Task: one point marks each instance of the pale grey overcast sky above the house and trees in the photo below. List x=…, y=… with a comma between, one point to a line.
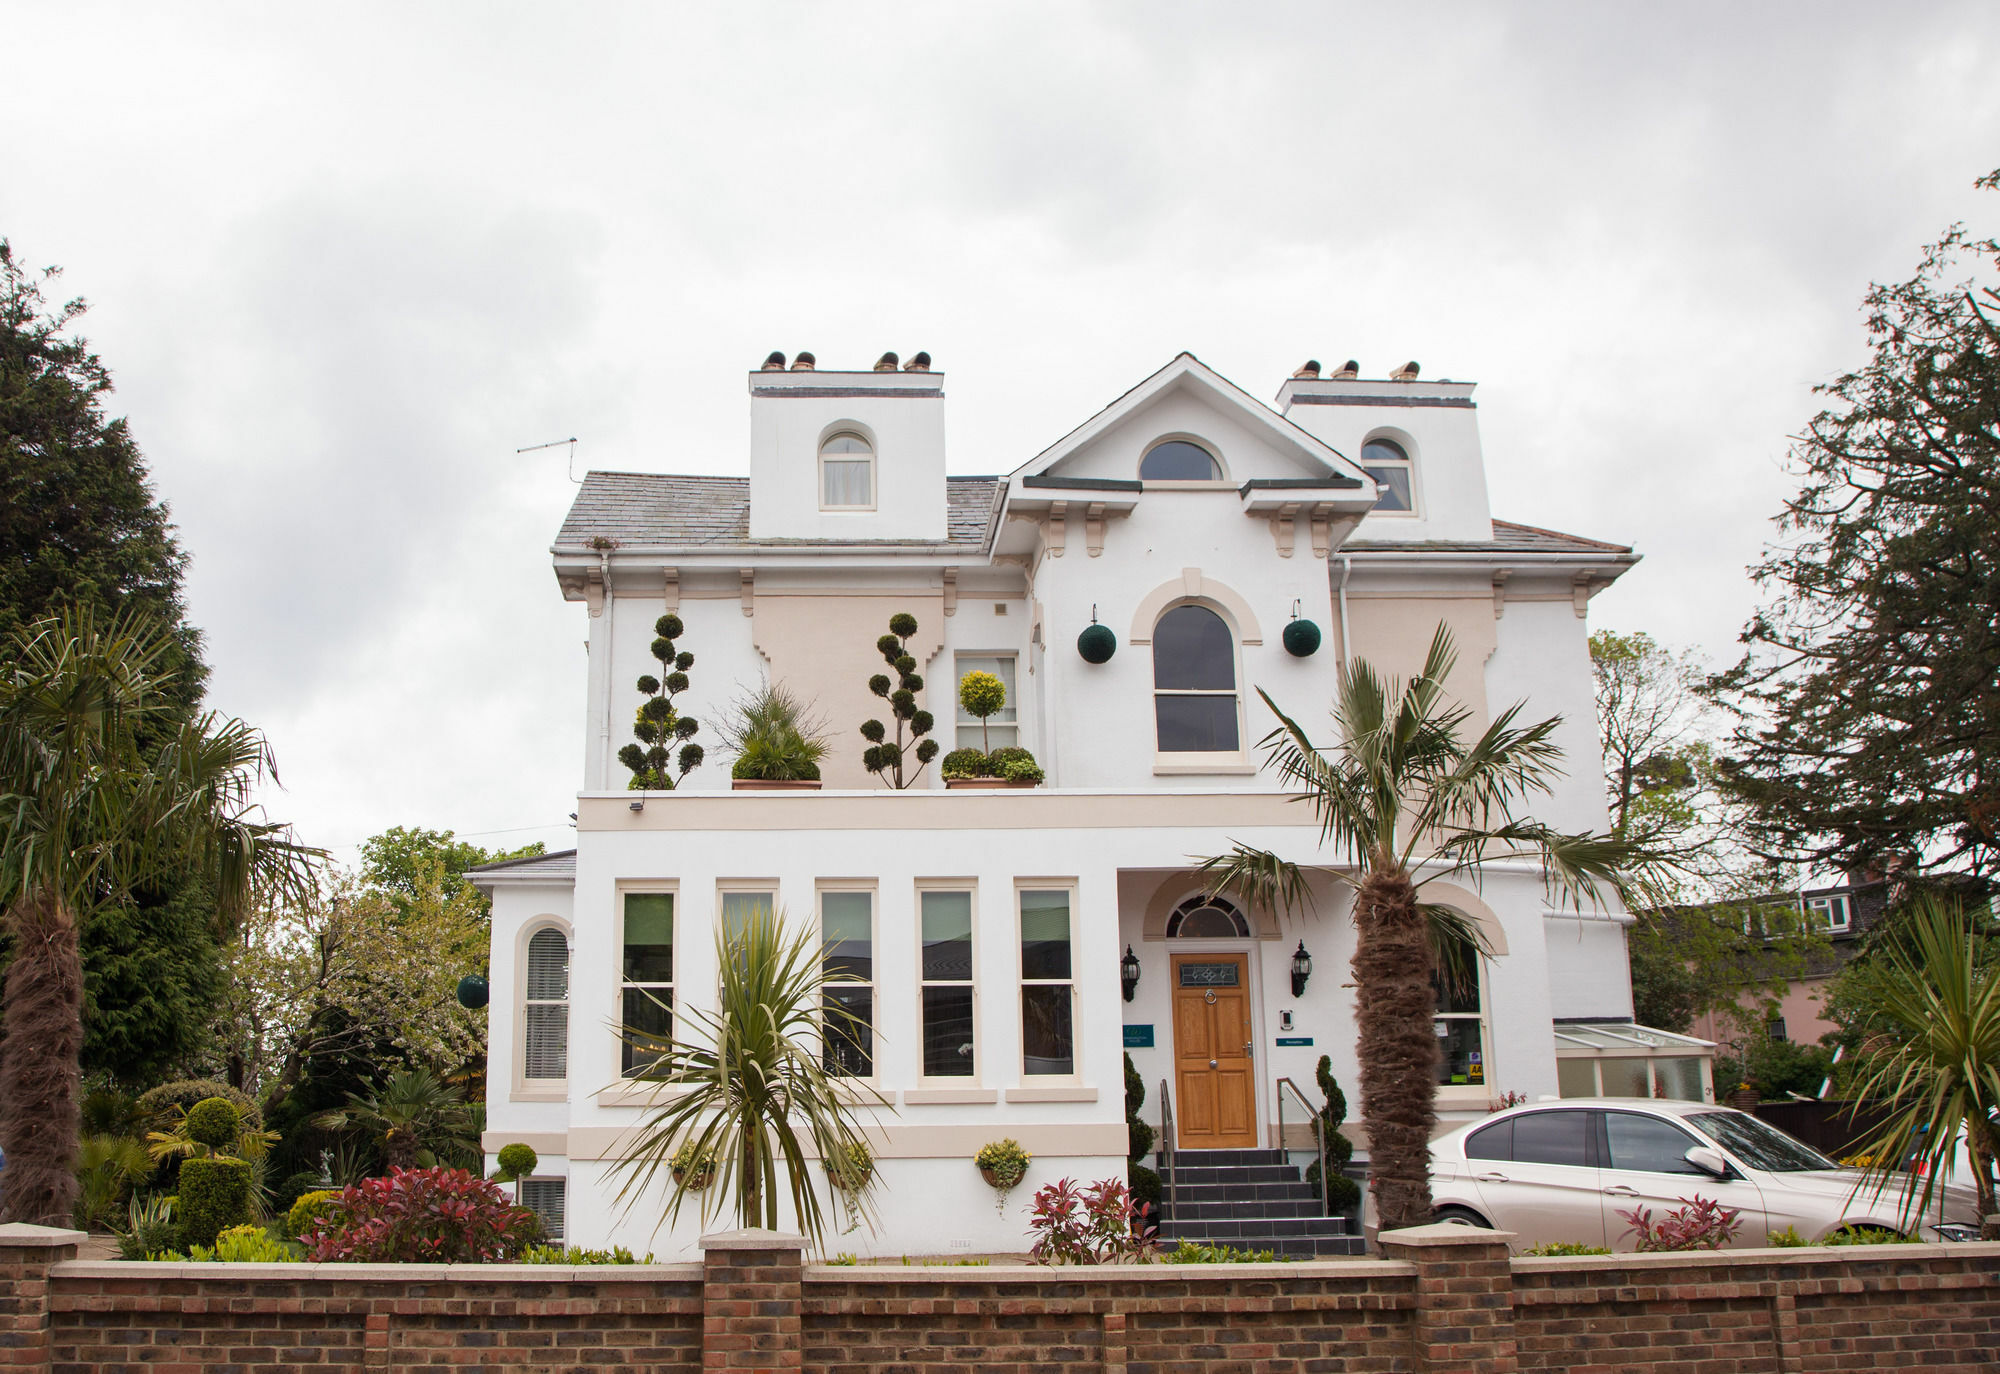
x=345, y=261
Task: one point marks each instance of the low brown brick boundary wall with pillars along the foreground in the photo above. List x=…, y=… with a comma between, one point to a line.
x=1447, y=1299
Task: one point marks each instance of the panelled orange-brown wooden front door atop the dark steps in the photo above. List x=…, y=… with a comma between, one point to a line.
x=1215, y=1087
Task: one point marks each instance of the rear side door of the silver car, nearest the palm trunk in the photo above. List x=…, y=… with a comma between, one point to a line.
x=1537, y=1177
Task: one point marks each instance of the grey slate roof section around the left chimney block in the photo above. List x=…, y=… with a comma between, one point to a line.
x=681, y=511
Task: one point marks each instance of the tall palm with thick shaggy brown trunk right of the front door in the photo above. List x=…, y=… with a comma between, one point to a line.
x=1407, y=801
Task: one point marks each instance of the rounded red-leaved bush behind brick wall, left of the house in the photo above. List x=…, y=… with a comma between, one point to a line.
x=423, y=1217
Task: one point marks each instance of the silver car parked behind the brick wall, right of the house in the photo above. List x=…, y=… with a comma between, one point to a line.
x=1567, y=1171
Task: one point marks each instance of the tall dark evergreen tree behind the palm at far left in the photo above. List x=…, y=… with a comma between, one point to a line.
x=81, y=527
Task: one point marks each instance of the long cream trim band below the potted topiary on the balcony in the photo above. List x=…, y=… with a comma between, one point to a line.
x=1005, y=809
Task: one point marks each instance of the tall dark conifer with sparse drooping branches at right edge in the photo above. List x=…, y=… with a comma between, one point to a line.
x=1871, y=685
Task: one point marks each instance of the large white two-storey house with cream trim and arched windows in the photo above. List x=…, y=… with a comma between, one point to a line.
x=1191, y=521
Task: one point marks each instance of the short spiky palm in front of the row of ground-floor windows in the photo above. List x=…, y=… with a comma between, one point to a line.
x=753, y=1089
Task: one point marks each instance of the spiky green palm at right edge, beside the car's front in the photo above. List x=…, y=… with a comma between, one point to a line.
x=1937, y=1061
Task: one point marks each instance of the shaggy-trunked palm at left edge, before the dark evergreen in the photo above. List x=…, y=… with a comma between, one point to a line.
x=85, y=817
